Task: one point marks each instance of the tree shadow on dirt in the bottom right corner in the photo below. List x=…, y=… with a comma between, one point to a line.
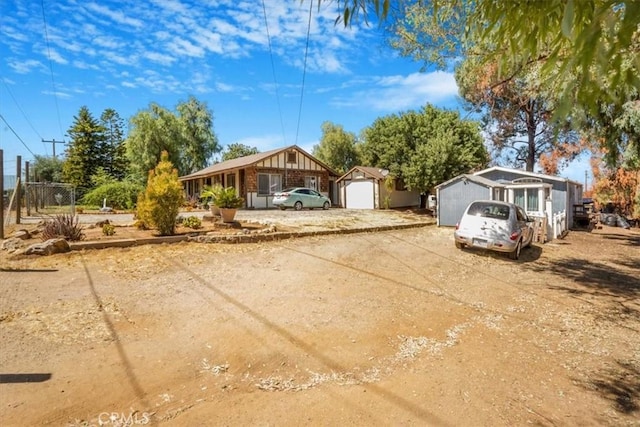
x=619, y=385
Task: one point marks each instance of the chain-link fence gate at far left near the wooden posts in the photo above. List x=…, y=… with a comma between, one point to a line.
x=49, y=198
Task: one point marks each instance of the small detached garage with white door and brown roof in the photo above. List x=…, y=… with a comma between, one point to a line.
x=365, y=187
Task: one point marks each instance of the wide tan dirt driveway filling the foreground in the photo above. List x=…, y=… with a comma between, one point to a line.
x=388, y=328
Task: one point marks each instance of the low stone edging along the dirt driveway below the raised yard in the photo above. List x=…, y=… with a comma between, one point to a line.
x=235, y=238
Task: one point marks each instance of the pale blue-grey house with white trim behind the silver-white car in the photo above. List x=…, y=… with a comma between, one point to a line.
x=543, y=196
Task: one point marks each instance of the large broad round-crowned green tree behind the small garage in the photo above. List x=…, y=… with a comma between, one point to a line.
x=424, y=148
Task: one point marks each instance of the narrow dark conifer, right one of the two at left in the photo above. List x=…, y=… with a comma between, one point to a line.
x=115, y=162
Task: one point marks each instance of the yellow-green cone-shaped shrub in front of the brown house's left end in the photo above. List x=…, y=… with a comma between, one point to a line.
x=160, y=203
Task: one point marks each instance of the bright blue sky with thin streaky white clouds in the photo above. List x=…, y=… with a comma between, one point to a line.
x=126, y=54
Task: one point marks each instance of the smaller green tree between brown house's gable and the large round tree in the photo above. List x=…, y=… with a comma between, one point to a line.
x=337, y=148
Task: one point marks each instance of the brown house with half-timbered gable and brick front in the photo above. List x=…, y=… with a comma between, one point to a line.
x=257, y=177
